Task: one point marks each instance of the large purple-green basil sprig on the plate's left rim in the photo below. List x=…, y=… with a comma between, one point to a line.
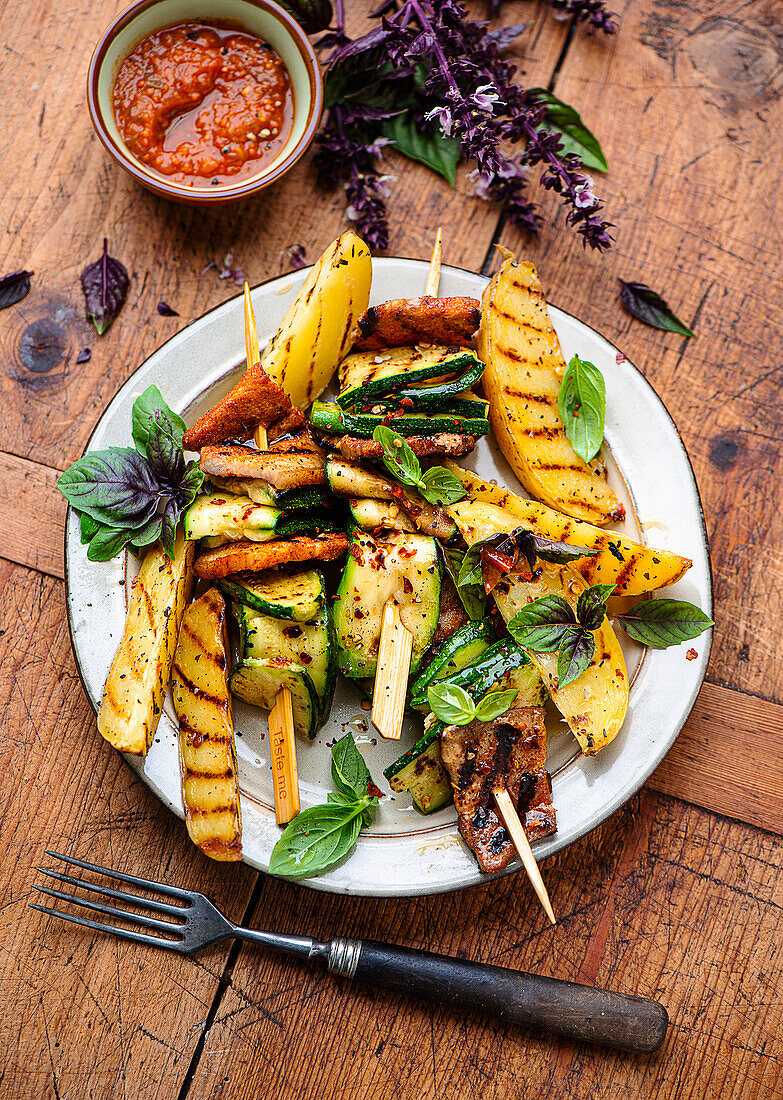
x=134, y=498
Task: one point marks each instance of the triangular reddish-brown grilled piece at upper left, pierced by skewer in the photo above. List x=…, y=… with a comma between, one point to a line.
x=255, y=401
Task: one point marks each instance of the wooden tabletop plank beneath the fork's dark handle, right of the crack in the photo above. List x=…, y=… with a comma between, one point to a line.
x=680, y=898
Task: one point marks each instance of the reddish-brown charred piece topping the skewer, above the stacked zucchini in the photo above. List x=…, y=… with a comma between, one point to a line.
x=409, y=322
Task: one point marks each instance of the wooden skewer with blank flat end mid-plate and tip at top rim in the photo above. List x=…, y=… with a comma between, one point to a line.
x=396, y=641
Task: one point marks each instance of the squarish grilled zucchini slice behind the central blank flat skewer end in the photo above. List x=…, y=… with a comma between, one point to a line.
x=403, y=567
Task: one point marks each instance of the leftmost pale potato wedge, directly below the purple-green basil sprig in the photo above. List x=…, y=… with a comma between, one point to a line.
x=139, y=676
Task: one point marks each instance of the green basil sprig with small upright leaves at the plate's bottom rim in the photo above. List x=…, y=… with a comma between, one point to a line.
x=322, y=837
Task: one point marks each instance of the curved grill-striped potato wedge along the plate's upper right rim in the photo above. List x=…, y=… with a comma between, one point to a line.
x=522, y=381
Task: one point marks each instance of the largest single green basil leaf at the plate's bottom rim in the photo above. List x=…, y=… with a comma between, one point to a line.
x=317, y=839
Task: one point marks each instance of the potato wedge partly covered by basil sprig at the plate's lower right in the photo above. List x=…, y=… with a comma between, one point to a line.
x=595, y=703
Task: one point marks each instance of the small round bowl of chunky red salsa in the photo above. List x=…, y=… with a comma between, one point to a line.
x=205, y=103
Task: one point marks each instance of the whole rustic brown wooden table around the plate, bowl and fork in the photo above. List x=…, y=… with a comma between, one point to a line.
x=679, y=896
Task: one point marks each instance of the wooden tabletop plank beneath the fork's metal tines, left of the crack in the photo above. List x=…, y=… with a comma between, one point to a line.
x=85, y=1015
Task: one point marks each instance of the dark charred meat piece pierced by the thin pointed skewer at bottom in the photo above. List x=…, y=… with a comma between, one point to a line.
x=512, y=753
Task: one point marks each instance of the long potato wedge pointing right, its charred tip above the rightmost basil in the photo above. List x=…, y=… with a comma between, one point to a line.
x=633, y=568
